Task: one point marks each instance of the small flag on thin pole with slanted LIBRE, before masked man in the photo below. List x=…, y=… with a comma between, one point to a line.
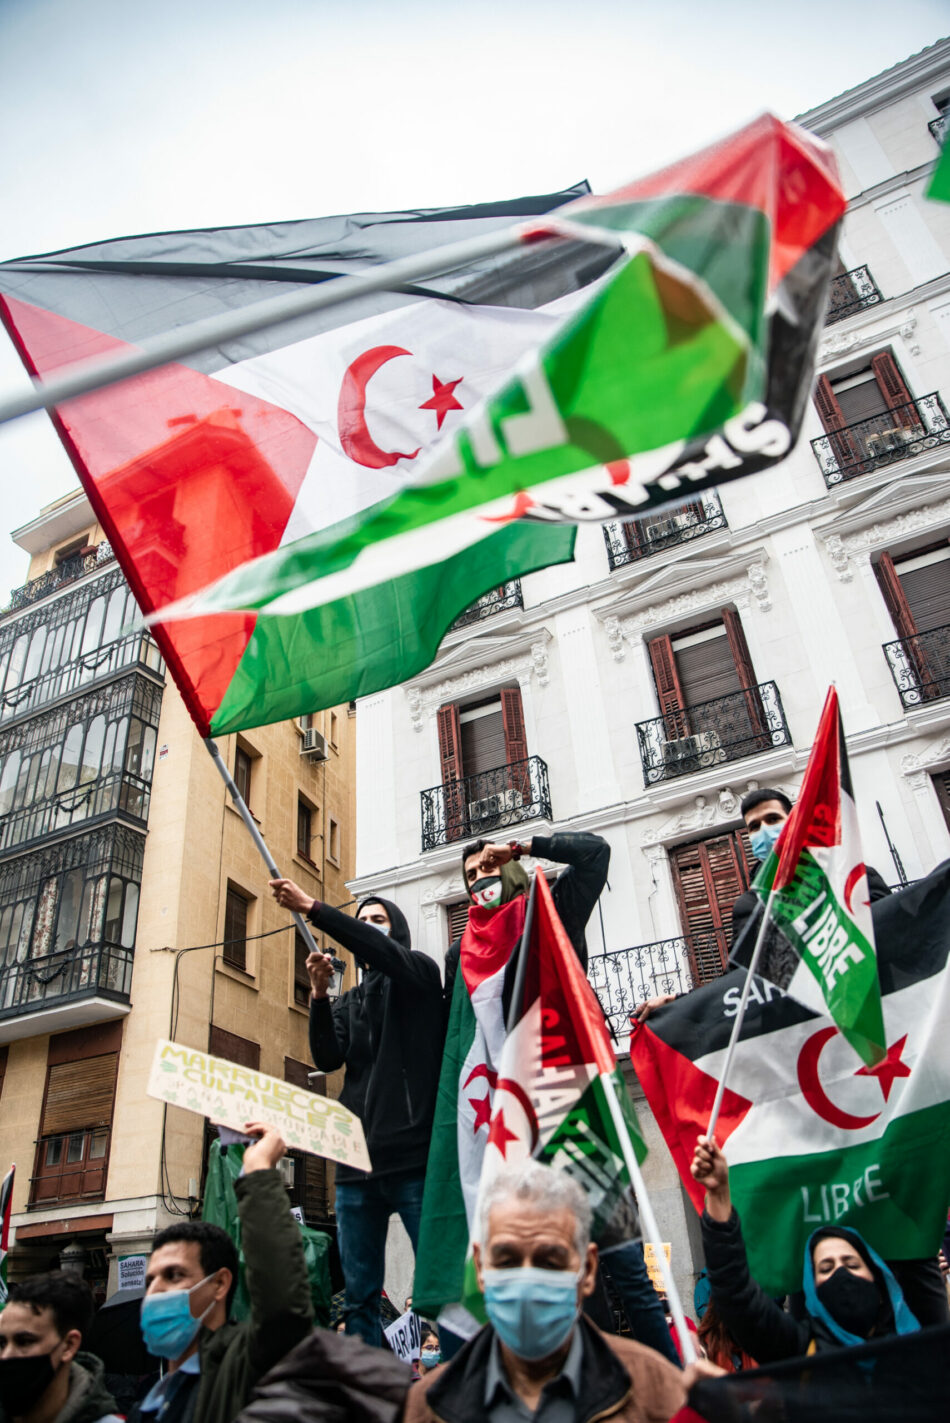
x=821, y=940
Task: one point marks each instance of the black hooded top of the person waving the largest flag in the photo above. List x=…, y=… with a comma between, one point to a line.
x=389, y=1034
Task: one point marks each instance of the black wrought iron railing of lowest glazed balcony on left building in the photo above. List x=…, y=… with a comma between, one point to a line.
x=95, y=971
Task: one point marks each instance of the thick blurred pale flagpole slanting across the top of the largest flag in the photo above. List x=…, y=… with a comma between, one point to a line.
x=214, y=331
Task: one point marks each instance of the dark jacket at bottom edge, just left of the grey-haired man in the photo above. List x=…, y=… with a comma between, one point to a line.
x=331, y=1378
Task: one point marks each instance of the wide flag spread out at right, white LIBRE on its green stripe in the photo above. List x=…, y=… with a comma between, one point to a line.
x=814, y=1136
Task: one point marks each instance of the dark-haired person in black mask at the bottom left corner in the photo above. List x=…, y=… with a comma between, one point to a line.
x=43, y=1375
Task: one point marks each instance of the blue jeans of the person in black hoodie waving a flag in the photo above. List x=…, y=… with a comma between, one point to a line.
x=363, y=1222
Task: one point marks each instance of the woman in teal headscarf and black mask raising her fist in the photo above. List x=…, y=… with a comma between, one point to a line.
x=851, y=1296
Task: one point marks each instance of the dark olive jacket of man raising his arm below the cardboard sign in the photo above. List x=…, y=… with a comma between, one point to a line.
x=235, y=1357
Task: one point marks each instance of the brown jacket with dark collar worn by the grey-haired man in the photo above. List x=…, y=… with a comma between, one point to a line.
x=619, y=1380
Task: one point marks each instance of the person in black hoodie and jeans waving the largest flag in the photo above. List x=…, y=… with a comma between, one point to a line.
x=389, y=1034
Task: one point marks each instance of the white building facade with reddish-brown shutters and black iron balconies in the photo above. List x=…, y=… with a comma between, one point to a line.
x=641, y=691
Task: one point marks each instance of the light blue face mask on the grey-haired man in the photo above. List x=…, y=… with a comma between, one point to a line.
x=533, y=1310
